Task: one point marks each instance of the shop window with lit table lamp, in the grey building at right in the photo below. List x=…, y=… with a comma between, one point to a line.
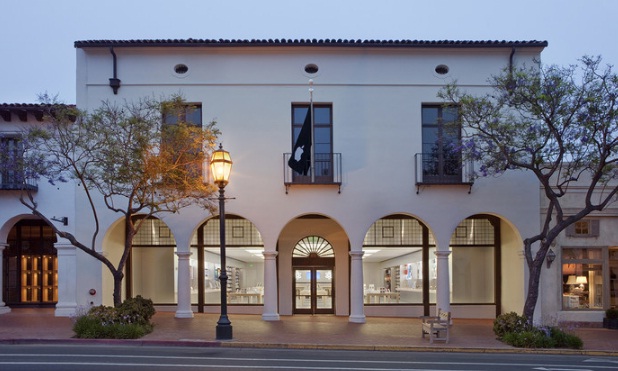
x=582, y=278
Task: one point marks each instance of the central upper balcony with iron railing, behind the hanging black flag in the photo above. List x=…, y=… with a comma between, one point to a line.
x=327, y=169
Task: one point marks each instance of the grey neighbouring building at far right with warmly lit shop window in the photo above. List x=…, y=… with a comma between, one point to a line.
x=582, y=282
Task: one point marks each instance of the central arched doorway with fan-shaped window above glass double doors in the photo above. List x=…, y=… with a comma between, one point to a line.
x=313, y=264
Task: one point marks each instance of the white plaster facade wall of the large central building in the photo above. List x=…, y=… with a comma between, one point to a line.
x=377, y=95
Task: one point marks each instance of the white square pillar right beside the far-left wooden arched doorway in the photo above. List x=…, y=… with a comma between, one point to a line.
x=67, y=280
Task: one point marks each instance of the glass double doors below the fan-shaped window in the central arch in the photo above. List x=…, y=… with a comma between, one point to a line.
x=313, y=291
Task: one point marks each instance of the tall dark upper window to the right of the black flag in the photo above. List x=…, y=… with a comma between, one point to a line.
x=441, y=161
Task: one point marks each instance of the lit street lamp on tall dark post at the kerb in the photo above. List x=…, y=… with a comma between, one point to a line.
x=220, y=168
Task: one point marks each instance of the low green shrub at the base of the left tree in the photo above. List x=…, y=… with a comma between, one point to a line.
x=131, y=320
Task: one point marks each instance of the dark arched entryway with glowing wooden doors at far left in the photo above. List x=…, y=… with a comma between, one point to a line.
x=30, y=265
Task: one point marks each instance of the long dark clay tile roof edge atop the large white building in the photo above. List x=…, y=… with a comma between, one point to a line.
x=310, y=42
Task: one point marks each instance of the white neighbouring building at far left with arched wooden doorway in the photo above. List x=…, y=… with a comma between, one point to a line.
x=33, y=257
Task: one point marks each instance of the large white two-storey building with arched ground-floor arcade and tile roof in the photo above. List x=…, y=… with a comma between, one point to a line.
x=385, y=222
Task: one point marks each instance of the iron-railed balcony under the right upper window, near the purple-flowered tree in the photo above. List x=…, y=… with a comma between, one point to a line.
x=431, y=169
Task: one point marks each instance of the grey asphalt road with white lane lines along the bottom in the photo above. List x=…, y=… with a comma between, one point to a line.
x=106, y=357
